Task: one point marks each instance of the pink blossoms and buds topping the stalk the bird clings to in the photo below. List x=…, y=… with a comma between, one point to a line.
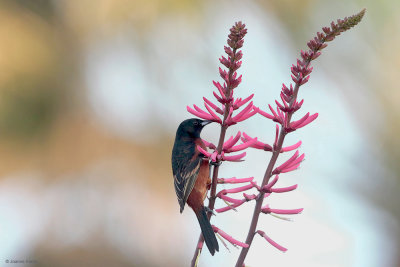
x=227, y=103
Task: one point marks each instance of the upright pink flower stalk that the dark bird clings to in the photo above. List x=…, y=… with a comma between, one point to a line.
x=229, y=104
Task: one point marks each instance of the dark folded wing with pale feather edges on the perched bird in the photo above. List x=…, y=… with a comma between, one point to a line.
x=185, y=177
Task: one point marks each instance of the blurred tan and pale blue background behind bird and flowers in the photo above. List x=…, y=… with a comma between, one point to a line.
x=91, y=94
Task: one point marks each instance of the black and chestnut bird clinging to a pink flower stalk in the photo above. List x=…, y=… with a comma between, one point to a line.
x=191, y=175
